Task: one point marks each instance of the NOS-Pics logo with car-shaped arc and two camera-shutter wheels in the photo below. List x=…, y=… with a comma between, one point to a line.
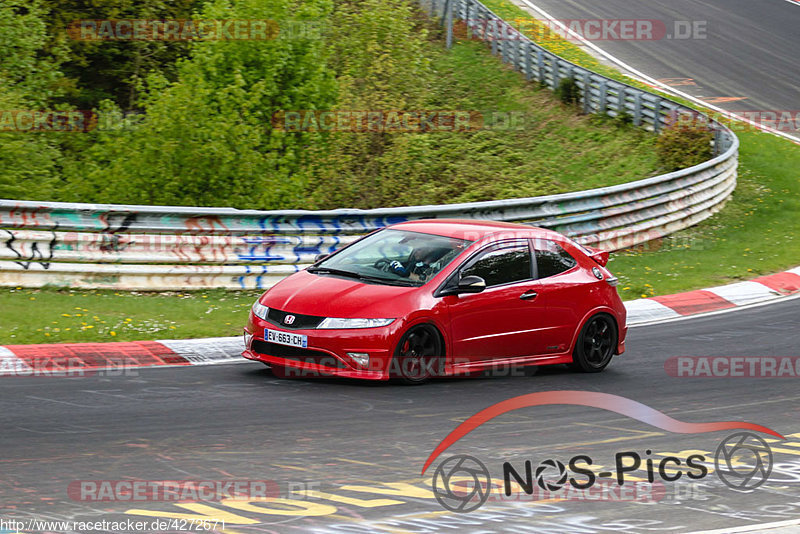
x=461, y=483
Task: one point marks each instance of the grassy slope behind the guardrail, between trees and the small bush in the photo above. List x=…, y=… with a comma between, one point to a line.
x=552, y=148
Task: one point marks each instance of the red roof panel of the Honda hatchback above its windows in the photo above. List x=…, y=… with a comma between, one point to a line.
x=473, y=229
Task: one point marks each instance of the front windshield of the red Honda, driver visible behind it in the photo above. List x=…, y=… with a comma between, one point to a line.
x=396, y=257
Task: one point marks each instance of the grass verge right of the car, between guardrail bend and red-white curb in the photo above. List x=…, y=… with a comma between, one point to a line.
x=757, y=233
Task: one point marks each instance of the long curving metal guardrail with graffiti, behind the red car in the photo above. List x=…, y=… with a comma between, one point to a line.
x=163, y=247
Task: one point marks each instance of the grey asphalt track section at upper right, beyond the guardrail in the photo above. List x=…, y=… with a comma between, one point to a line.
x=747, y=59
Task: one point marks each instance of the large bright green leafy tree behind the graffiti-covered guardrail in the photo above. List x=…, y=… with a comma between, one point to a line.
x=206, y=138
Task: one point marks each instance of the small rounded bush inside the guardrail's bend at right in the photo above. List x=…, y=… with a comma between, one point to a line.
x=684, y=143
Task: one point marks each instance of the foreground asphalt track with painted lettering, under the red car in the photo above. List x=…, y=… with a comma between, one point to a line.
x=358, y=448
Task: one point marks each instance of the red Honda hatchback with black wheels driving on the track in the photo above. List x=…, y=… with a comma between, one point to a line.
x=441, y=297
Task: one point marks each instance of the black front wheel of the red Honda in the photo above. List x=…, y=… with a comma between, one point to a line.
x=418, y=355
